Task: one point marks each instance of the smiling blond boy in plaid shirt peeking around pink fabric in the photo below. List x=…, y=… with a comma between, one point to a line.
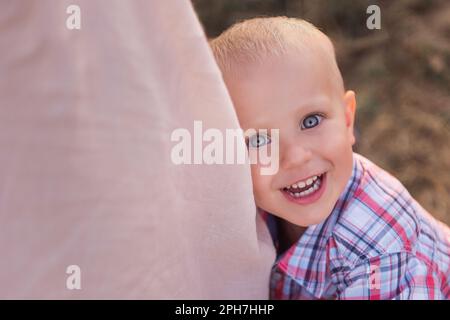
x=345, y=229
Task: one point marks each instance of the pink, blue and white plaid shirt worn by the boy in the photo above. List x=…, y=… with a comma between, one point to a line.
x=378, y=243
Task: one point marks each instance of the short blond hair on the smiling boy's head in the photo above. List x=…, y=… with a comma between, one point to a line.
x=255, y=39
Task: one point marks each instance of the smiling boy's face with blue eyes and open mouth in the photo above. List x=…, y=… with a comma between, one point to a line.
x=300, y=97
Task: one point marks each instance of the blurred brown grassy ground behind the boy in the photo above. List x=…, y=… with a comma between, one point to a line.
x=401, y=76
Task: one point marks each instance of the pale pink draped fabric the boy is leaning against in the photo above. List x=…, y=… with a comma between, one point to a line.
x=85, y=171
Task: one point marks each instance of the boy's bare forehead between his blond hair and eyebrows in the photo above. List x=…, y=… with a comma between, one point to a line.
x=280, y=87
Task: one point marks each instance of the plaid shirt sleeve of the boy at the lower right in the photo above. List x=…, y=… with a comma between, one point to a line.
x=399, y=276
